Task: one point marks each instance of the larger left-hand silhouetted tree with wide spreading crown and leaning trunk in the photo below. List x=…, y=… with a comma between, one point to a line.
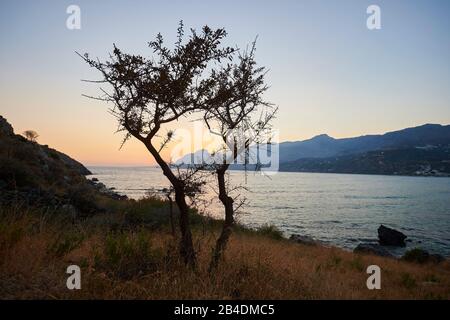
x=148, y=93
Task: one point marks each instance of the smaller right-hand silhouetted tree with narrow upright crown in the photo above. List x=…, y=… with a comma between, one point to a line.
x=238, y=113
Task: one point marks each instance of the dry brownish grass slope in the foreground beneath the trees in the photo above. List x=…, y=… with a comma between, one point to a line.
x=142, y=264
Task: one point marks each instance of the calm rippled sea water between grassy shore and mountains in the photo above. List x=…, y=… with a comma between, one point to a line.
x=339, y=209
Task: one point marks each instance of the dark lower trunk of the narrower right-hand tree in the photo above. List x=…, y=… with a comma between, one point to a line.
x=222, y=241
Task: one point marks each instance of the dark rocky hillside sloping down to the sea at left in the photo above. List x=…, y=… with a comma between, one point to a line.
x=36, y=174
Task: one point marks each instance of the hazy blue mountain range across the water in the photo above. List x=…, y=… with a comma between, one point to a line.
x=422, y=150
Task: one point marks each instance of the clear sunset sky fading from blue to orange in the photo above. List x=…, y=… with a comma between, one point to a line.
x=328, y=72
